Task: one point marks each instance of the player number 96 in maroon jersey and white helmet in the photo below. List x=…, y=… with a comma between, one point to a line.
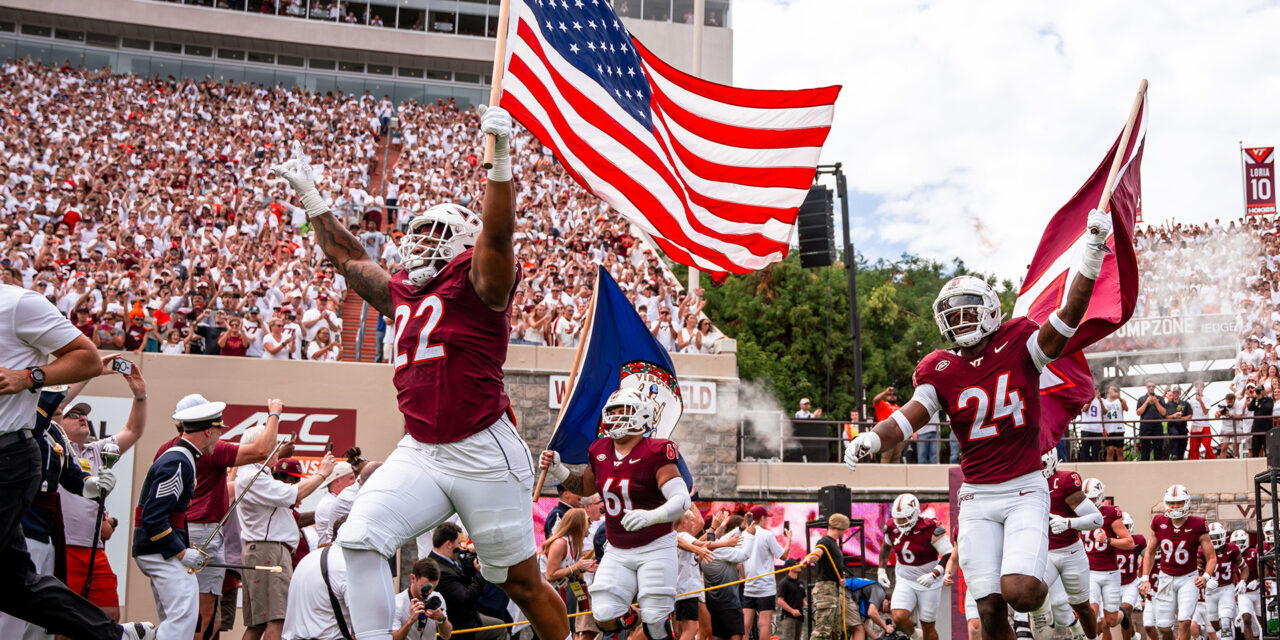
x=1178, y=534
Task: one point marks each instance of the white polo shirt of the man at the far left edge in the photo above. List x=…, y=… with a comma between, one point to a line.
x=31, y=330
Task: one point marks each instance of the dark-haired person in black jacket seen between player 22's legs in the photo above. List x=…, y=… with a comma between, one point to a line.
x=461, y=583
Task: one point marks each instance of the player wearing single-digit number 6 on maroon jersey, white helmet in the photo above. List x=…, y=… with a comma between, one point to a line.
x=921, y=550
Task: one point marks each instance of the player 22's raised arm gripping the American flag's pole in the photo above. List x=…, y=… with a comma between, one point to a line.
x=493, y=263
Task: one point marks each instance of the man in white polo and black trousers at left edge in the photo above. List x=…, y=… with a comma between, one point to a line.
x=31, y=331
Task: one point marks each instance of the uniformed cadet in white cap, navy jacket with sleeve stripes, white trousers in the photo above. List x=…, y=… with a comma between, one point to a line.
x=161, y=546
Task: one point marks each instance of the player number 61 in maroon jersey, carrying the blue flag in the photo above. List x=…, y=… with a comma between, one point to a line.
x=643, y=496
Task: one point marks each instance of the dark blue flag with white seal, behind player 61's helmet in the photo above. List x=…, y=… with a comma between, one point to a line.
x=616, y=350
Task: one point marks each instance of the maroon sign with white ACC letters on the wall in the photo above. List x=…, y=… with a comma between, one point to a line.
x=316, y=428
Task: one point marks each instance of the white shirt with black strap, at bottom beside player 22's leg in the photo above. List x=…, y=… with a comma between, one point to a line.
x=310, y=615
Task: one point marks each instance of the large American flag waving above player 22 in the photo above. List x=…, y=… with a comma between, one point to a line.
x=714, y=175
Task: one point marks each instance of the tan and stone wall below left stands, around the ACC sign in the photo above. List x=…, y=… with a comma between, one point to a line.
x=368, y=391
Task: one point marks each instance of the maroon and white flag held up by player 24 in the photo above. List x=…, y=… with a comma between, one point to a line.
x=1067, y=385
